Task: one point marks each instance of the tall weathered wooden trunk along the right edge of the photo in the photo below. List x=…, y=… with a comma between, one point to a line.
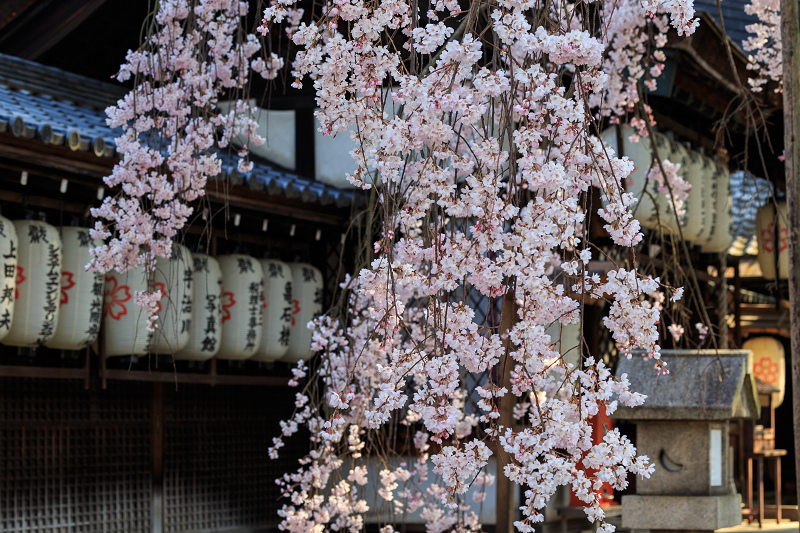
x=790, y=35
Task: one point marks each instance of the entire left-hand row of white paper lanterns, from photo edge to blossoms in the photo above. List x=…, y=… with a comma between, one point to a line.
x=231, y=307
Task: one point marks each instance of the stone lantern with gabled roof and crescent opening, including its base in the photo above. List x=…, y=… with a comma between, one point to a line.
x=683, y=428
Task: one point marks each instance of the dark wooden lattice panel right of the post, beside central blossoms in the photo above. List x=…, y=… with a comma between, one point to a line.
x=217, y=475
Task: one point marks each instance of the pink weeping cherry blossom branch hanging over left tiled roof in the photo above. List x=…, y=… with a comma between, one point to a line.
x=171, y=129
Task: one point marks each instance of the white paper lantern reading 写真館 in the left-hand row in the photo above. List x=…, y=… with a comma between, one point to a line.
x=206, y=330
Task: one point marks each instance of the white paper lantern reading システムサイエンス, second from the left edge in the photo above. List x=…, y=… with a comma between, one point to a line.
x=38, y=281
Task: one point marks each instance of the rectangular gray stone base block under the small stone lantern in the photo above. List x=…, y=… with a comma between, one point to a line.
x=681, y=512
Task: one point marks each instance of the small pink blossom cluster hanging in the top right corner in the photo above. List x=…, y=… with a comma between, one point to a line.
x=765, y=43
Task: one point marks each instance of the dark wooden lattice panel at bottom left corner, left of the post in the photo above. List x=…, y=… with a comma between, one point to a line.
x=73, y=460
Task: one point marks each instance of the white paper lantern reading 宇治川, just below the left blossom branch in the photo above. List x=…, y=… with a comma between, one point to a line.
x=173, y=277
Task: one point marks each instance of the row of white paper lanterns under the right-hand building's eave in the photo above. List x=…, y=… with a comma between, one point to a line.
x=708, y=220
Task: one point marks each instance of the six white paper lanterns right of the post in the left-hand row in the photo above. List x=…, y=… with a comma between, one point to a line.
x=232, y=307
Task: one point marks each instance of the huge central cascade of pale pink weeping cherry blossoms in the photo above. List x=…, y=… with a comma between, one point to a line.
x=475, y=128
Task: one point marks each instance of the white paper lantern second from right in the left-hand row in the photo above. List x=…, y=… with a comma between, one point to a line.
x=278, y=311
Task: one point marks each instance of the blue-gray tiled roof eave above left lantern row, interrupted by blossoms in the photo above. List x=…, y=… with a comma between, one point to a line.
x=61, y=108
